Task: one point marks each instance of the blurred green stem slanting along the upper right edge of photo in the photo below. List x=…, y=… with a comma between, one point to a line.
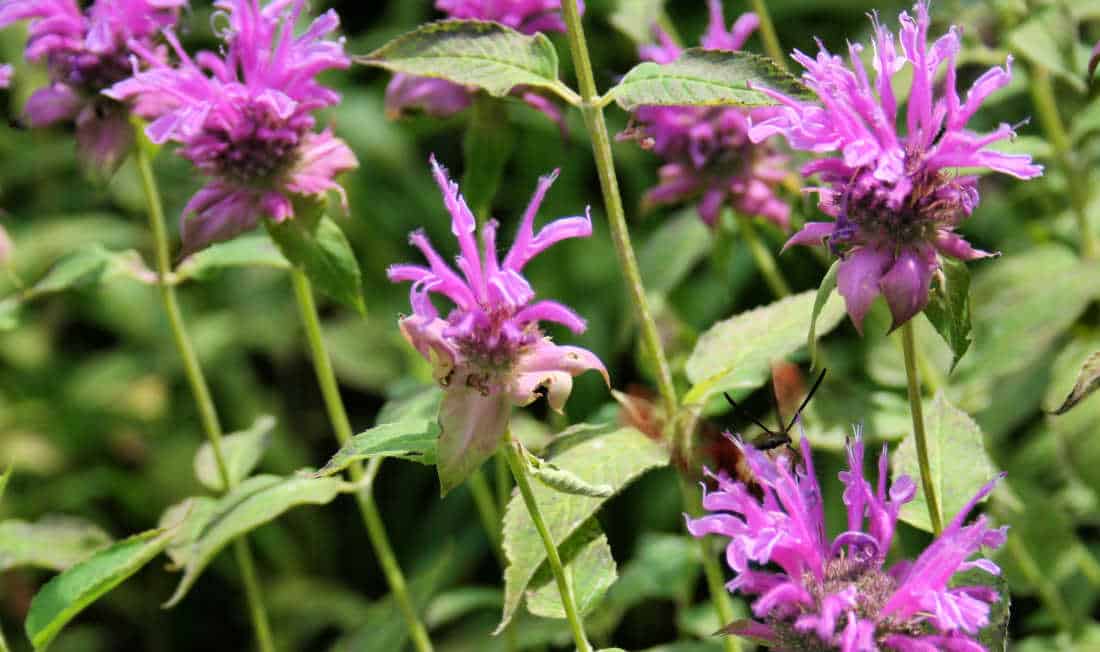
x=1047, y=107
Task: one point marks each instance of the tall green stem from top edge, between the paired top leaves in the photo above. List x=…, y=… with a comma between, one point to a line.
x=613, y=202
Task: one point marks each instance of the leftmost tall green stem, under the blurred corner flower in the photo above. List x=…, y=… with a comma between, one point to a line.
x=208, y=415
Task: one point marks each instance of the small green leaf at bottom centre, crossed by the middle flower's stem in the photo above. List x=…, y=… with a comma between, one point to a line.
x=588, y=560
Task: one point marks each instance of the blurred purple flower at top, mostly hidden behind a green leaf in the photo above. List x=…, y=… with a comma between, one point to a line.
x=441, y=98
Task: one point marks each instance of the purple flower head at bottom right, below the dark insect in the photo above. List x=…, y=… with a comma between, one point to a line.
x=816, y=594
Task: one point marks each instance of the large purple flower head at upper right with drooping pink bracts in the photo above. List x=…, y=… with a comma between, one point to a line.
x=896, y=197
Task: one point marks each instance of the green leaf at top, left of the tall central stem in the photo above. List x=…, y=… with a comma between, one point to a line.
x=475, y=53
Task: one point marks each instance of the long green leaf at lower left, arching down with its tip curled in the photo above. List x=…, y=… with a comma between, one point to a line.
x=252, y=504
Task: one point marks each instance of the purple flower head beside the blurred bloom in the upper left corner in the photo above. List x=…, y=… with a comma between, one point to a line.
x=246, y=117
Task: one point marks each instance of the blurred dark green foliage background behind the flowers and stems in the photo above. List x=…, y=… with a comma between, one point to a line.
x=97, y=419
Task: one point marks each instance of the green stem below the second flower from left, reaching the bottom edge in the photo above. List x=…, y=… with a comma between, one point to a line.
x=342, y=427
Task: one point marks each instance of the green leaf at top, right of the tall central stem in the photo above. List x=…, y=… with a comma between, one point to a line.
x=706, y=79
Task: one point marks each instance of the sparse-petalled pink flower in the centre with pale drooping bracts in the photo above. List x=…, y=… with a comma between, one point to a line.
x=490, y=352
